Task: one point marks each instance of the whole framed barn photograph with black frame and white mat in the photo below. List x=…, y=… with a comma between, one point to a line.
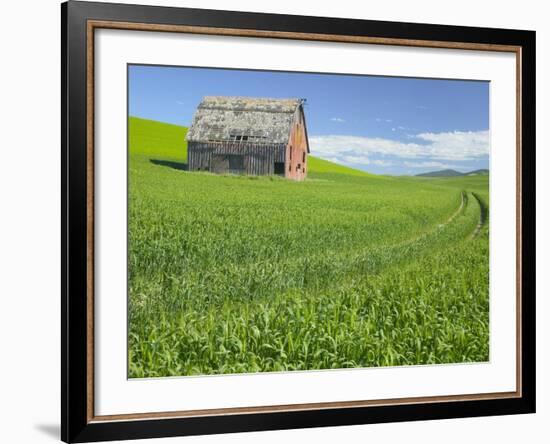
x=275, y=221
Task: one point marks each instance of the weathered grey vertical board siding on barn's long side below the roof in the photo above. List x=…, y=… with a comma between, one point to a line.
x=259, y=158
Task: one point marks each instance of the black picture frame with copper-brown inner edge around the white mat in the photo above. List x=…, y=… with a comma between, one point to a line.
x=79, y=180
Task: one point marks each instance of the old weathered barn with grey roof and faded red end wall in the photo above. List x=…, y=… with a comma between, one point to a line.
x=249, y=135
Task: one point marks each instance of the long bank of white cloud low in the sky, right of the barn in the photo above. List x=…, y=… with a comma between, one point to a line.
x=457, y=146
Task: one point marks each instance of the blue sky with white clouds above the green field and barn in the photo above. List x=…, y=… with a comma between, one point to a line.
x=384, y=125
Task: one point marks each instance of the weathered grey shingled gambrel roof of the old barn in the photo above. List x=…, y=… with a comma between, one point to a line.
x=262, y=120
